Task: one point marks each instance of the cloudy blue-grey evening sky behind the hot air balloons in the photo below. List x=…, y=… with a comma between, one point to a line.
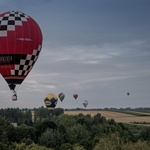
x=99, y=49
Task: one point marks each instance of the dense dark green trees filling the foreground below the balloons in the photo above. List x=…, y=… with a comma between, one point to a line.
x=59, y=131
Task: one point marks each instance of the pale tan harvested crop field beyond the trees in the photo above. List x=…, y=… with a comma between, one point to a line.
x=123, y=116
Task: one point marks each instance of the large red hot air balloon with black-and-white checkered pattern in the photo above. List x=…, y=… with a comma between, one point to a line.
x=20, y=45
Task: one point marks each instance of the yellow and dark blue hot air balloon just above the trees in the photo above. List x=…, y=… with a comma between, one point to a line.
x=51, y=101
